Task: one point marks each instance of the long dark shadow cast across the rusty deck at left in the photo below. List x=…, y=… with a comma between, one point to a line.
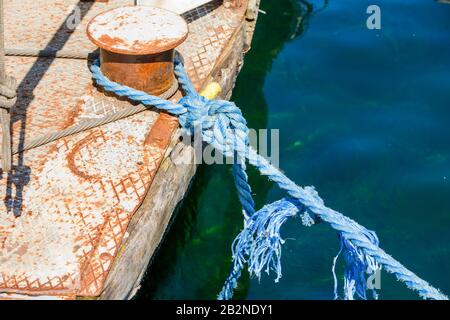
x=19, y=176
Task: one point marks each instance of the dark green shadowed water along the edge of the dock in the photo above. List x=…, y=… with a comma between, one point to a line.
x=195, y=257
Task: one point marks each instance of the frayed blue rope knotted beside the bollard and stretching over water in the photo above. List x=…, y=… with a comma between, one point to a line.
x=259, y=244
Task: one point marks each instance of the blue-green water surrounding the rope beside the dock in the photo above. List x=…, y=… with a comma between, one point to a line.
x=364, y=116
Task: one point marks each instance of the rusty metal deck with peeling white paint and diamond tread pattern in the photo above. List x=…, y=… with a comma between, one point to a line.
x=67, y=204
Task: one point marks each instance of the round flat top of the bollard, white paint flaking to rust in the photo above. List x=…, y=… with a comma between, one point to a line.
x=137, y=30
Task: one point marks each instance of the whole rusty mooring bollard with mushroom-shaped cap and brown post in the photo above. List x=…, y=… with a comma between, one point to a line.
x=137, y=46
